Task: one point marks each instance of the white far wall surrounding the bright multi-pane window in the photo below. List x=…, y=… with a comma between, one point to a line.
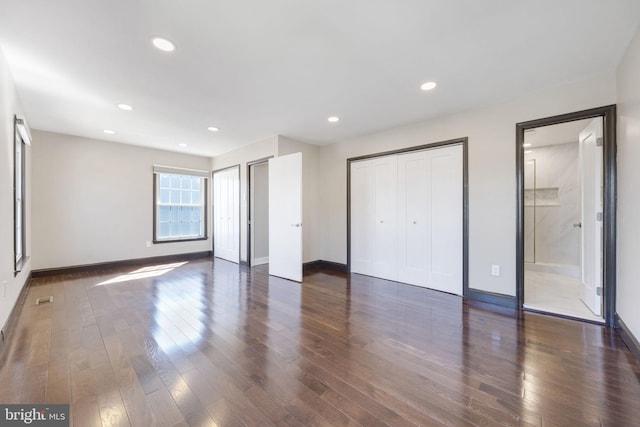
x=93, y=201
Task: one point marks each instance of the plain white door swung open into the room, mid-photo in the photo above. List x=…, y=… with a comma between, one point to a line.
x=285, y=216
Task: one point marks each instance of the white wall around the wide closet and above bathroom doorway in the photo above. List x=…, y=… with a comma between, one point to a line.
x=492, y=182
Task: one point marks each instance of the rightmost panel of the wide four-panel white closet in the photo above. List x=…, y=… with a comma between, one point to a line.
x=445, y=219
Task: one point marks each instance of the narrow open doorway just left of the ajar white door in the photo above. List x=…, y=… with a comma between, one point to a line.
x=258, y=223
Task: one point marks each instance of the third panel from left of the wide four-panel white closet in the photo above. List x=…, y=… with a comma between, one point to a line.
x=412, y=218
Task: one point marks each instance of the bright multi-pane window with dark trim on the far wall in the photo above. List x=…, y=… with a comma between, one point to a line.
x=180, y=204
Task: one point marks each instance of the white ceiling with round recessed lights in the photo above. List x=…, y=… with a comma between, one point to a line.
x=257, y=68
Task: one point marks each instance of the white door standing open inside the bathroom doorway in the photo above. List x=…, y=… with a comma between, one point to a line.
x=591, y=170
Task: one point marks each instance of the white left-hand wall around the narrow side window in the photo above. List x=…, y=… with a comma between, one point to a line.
x=10, y=286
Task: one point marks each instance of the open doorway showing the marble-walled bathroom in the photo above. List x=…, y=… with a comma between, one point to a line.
x=559, y=242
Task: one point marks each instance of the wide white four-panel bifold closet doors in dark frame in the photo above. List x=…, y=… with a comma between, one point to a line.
x=406, y=217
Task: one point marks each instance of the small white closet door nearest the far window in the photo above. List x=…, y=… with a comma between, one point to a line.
x=226, y=214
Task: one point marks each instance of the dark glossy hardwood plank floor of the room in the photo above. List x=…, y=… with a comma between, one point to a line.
x=210, y=343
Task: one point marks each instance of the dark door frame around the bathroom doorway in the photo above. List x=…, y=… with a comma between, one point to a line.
x=608, y=114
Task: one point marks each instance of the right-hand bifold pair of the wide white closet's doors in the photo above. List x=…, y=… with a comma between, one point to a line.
x=430, y=218
